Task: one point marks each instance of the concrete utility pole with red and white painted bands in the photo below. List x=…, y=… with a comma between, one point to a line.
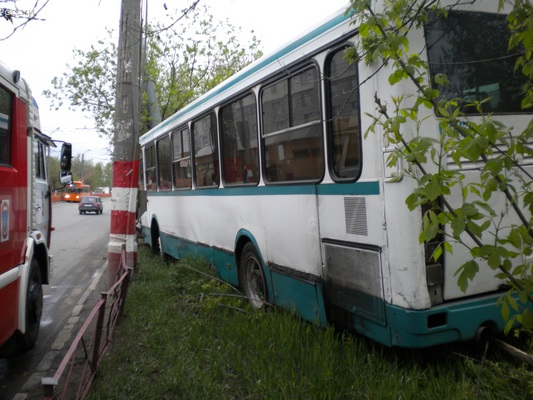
x=125, y=160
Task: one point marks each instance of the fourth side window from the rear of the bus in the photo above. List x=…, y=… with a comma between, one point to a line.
x=205, y=152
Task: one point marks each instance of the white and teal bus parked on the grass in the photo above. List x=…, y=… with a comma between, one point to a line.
x=270, y=177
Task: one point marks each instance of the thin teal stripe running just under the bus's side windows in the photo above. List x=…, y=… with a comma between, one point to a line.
x=353, y=189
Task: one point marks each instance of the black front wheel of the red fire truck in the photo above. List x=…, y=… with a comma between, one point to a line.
x=34, y=306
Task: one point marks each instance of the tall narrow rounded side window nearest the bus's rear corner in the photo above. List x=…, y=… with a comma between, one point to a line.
x=343, y=113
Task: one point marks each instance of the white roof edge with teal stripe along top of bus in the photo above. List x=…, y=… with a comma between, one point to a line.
x=257, y=71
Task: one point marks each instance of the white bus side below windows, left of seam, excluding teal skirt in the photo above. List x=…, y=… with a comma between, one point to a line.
x=214, y=217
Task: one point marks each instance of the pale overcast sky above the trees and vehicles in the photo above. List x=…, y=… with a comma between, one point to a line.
x=43, y=48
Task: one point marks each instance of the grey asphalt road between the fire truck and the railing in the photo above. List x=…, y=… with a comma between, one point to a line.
x=79, y=247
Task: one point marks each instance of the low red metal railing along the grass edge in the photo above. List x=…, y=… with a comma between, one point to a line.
x=77, y=370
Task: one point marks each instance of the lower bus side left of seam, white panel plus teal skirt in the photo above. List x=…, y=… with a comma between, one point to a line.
x=214, y=219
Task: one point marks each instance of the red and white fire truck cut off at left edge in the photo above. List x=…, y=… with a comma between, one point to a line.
x=25, y=212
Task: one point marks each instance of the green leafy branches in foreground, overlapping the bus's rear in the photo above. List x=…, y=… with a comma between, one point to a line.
x=384, y=43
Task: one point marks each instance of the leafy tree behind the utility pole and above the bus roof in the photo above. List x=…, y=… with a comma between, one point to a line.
x=182, y=63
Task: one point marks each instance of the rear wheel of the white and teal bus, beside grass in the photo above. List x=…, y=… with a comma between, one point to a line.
x=252, y=278
